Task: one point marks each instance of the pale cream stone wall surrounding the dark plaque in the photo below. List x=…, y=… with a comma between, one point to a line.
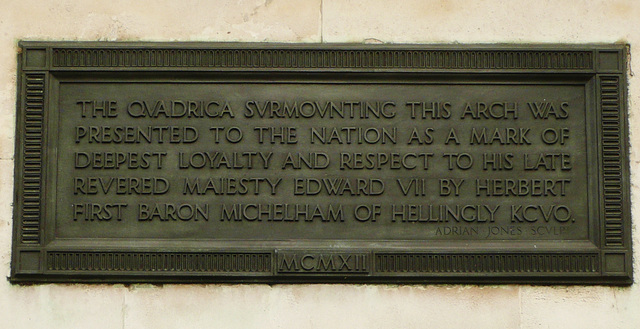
x=313, y=306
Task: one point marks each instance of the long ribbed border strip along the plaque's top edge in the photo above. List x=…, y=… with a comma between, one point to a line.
x=322, y=58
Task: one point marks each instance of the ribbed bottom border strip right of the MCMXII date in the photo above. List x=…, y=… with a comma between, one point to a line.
x=486, y=263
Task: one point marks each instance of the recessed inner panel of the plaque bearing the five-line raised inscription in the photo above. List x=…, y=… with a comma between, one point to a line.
x=326, y=160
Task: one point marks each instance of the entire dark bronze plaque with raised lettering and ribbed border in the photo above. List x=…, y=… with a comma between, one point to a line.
x=204, y=162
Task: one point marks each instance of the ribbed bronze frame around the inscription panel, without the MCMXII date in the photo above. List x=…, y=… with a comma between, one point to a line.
x=609, y=261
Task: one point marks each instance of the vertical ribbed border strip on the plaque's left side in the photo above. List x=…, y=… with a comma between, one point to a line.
x=32, y=154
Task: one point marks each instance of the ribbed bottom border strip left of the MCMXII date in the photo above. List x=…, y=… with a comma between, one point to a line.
x=158, y=262
